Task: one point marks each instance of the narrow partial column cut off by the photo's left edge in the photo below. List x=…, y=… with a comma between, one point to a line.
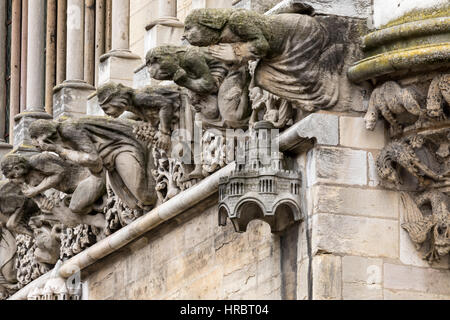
x=4, y=147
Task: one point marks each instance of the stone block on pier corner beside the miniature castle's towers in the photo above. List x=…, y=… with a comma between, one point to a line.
x=337, y=166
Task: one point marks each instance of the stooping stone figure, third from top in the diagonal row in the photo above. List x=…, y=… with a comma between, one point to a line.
x=157, y=105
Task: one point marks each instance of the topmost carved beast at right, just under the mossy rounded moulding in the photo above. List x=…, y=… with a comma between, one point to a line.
x=390, y=99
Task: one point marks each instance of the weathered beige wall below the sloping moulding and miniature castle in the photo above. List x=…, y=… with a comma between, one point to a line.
x=192, y=258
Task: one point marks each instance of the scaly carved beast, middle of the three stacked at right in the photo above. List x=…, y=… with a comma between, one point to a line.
x=401, y=154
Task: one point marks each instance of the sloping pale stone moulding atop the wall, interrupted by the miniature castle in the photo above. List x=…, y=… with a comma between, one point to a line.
x=179, y=204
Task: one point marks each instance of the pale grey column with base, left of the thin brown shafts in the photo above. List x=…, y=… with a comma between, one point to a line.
x=35, y=74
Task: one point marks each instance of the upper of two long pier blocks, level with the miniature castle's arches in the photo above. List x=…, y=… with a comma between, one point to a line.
x=358, y=202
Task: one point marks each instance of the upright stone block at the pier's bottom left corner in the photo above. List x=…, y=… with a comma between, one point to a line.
x=327, y=280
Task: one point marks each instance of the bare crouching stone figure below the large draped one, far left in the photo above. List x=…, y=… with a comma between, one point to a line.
x=46, y=171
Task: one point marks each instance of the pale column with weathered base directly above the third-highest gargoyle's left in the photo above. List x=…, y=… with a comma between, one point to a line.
x=69, y=98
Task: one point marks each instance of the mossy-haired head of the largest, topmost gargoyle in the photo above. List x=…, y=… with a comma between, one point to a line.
x=203, y=27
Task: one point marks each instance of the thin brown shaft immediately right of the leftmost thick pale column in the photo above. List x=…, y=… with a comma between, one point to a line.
x=50, y=63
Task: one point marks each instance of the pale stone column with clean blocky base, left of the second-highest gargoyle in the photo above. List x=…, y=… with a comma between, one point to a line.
x=118, y=64
